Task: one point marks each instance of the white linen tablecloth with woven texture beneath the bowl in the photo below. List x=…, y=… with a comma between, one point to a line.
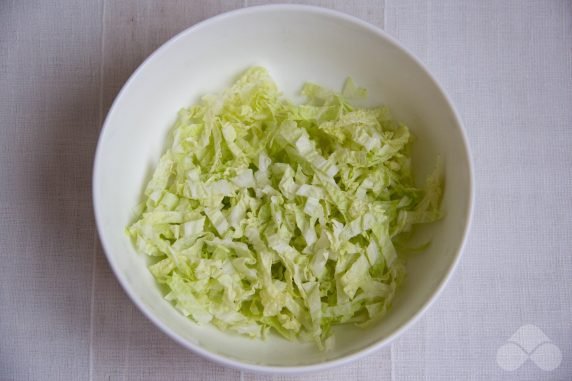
x=506, y=64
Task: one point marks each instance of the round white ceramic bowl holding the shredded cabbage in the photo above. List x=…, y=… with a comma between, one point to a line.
x=296, y=44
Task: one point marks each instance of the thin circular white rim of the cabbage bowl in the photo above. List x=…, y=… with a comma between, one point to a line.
x=275, y=369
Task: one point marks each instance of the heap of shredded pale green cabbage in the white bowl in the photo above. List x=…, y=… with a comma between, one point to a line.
x=266, y=215
